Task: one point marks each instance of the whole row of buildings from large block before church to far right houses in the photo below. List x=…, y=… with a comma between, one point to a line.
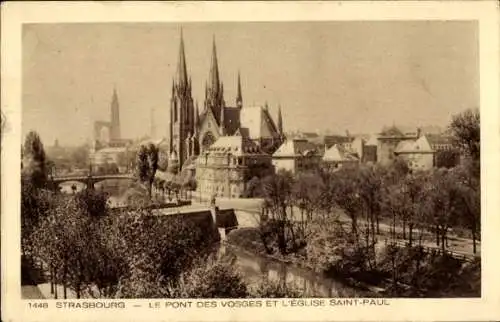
x=226, y=167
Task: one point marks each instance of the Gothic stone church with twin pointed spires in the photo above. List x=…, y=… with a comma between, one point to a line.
x=192, y=132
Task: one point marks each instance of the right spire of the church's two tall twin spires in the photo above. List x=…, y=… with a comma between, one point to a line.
x=214, y=91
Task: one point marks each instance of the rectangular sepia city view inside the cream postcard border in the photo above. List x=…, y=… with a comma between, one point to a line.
x=237, y=160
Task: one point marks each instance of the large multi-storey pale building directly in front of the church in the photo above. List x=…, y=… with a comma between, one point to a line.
x=224, y=167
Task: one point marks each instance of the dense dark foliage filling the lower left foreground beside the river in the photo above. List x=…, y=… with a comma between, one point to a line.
x=132, y=254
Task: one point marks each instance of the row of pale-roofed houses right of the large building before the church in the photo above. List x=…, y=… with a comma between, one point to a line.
x=420, y=150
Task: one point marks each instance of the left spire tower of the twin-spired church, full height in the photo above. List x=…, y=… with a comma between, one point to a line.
x=181, y=111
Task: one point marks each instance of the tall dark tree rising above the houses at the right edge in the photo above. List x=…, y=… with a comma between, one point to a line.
x=465, y=129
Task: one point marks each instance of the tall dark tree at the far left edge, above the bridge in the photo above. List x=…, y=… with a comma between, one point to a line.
x=34, y=160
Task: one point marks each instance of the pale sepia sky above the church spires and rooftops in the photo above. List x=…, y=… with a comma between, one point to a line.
x=355, y=76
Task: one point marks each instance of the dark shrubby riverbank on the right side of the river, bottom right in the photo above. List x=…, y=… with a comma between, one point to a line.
x=397, y=271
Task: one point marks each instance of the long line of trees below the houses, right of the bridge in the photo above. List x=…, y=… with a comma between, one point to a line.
x=416, y=202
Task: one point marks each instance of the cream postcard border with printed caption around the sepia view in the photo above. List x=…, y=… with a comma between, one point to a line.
x=485, y=12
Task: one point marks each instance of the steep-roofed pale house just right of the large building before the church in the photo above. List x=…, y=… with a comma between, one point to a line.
x=296, y=155
